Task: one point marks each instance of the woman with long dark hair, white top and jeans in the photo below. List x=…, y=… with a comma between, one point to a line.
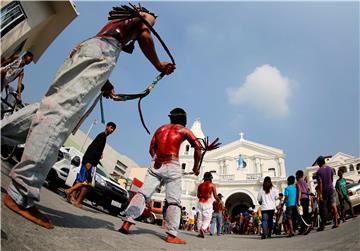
x=267, y=197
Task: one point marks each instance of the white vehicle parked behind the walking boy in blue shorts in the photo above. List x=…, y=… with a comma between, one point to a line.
x=106, y=193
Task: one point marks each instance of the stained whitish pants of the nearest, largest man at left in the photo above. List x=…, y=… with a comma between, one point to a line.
x=46, y=126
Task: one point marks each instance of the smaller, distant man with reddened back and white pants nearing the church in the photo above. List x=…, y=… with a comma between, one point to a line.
x=205, y=206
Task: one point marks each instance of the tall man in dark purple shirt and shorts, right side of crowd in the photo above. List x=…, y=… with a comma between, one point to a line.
x=326, y=194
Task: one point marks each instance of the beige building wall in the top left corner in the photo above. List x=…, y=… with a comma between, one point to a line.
x=45, y=20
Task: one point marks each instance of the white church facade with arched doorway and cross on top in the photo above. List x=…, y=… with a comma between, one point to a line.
x=238, y=168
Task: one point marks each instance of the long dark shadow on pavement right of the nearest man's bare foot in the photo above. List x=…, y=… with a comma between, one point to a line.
x=63, y=219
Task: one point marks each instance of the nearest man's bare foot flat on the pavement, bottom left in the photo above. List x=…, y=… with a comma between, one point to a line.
x=31, y=214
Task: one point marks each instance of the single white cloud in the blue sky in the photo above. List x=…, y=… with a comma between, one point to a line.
x=265, y=90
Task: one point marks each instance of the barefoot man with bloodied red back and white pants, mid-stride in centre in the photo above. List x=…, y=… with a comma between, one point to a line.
x=165, y=167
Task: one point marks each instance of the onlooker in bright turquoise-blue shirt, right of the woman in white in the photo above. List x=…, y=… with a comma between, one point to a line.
x=290, y=200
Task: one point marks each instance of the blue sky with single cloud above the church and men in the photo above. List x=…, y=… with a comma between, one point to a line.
x=284, y=73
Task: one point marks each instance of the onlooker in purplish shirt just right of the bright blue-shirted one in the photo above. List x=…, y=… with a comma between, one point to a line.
x=303, y=199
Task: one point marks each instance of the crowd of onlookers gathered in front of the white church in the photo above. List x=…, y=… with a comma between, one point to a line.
x=295, y=210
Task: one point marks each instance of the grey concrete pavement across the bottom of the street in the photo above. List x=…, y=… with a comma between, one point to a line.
x=91, y=229
